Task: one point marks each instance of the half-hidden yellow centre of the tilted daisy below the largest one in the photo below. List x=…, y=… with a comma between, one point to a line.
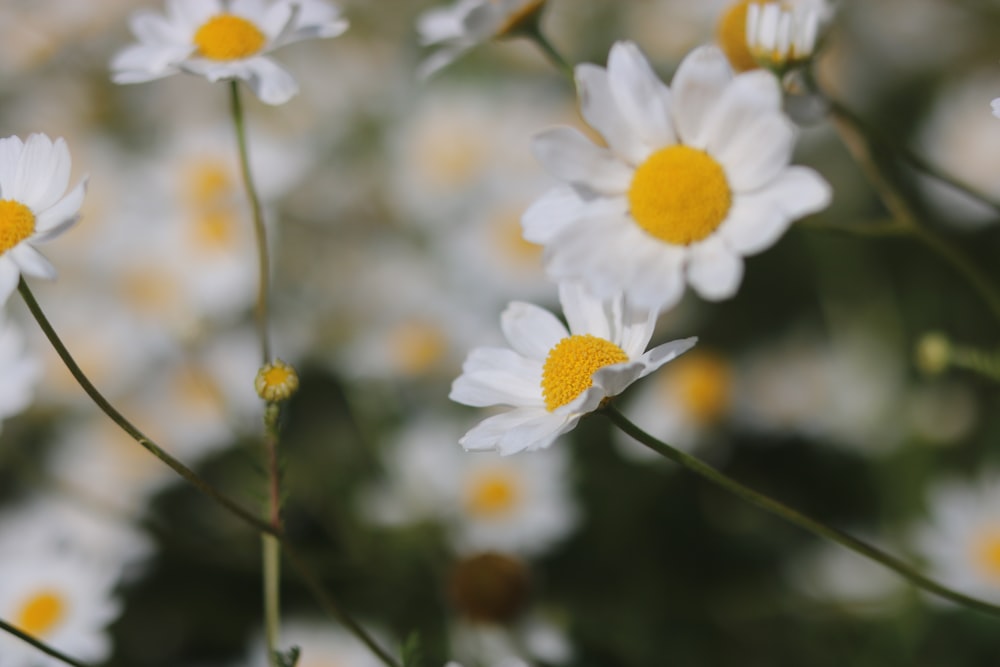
x=571, y=363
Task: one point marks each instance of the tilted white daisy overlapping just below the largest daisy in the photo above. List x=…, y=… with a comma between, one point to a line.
x=552, y=376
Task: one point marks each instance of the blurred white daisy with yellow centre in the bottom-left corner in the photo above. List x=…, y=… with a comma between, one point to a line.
x=62, y=600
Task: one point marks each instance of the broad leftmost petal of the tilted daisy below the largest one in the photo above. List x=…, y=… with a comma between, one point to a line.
x=494, y=376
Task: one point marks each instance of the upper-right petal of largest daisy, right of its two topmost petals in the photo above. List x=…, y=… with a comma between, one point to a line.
x=745, y=99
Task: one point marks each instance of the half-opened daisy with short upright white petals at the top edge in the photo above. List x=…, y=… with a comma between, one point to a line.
x=779, y=36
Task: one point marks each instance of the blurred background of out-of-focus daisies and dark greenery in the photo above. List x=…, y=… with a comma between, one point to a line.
x=394, y=205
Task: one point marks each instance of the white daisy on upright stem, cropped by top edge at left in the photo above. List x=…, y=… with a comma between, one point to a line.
x=221, y=39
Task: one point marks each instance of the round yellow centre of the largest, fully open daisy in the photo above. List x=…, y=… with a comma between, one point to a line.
x=679, y=195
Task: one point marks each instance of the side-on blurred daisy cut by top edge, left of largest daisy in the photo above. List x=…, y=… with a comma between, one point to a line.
x=468, y=23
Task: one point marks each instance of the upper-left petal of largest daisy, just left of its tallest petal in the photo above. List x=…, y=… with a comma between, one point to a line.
x=598, y=108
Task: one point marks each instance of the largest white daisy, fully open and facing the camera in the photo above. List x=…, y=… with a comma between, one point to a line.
x=694, y=178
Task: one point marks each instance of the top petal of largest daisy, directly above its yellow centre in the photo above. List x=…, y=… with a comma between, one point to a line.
x=700, y=79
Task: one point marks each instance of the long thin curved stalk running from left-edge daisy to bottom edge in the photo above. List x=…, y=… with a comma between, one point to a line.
x=313, y=584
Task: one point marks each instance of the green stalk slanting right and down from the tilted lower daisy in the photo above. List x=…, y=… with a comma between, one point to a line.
x=793, y=516
